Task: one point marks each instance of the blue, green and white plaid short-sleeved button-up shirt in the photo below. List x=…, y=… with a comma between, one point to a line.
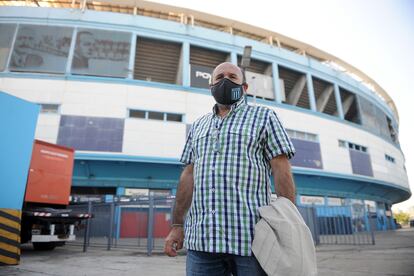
x=231, y=176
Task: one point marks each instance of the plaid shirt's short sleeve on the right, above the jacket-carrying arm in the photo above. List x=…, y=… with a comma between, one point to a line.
x=277, y=141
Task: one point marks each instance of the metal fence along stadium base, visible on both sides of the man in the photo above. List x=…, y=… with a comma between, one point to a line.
x=142, y=224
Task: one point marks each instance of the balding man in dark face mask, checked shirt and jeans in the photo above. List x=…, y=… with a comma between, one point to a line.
x=229, y=156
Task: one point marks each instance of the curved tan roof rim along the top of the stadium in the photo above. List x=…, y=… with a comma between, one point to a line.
x=188, y=16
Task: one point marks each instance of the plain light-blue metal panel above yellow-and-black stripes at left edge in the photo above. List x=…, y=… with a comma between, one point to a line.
x=18, y=120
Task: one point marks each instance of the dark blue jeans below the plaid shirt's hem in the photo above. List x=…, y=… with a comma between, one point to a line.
x=221, y=264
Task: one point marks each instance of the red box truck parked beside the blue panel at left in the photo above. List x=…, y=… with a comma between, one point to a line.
x=46, y=221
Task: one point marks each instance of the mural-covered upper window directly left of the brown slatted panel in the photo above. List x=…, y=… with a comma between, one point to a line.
x=101, y=53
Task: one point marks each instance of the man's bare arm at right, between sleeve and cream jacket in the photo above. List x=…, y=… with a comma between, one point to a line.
x=282, y=176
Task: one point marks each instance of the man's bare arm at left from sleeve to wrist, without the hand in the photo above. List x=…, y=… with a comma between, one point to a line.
x=184, y=195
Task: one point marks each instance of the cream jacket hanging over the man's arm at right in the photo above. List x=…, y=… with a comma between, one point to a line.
x=282, y=242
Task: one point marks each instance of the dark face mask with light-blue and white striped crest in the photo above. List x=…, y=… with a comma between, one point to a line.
x=226, y=92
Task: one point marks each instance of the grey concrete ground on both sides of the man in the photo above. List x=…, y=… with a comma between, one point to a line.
x=393, y=254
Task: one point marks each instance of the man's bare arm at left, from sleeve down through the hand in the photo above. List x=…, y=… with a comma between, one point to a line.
x=183, y=198
